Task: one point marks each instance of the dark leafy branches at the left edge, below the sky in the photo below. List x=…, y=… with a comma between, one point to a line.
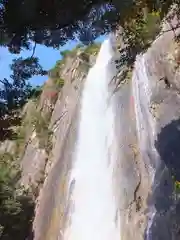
x=13, y=98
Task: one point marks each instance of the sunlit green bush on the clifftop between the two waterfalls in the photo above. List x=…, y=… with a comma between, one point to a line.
x=139, y=32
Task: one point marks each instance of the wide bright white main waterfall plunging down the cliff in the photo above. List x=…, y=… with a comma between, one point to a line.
x=94, y=204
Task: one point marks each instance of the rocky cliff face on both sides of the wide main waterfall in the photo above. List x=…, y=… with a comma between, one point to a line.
x=147, y=174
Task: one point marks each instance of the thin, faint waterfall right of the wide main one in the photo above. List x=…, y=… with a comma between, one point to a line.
x=145, y=123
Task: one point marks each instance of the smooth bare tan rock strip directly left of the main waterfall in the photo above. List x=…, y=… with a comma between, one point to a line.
x=52, y=202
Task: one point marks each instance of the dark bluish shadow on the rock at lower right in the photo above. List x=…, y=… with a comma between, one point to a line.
x=166, y=223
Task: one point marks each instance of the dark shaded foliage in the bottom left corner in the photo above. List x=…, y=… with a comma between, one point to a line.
x=16, y=217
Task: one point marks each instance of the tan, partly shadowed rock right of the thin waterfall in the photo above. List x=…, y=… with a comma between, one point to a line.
x=163, y=74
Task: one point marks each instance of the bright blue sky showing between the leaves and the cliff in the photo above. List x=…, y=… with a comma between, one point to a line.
x=47, y=58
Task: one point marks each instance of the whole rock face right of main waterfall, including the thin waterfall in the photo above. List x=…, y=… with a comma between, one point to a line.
x=148, y=137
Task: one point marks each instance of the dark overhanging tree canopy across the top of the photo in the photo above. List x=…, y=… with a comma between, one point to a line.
x=53, y=23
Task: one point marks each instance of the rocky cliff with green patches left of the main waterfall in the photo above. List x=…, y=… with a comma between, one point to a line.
x=46, y=140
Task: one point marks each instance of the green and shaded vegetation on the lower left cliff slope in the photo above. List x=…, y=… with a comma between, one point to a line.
x=16, y=203
